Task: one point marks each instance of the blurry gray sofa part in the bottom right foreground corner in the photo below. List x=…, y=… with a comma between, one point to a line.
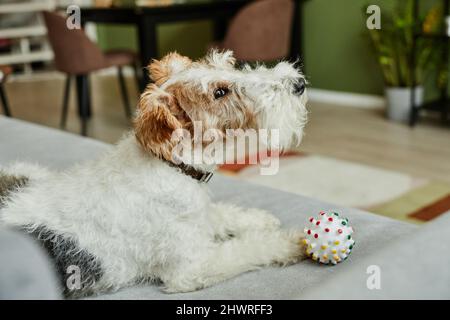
x=415, y=266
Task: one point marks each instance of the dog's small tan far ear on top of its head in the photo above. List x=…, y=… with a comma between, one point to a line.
x=161, y=70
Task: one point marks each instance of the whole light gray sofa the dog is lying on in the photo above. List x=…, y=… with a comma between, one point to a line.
x=412, y=262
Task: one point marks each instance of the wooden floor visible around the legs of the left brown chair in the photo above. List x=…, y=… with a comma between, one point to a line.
x=40, y=101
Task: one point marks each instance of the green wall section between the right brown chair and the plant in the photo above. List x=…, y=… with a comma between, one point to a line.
x=337, y=48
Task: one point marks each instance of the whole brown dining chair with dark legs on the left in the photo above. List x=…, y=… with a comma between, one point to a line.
x=77, y=56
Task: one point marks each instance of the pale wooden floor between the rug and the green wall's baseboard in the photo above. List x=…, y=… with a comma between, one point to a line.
x=365, y=136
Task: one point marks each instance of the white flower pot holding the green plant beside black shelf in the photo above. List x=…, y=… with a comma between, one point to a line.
x=399, y=102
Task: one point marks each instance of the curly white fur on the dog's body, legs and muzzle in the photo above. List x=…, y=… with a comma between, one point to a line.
x=143, y=219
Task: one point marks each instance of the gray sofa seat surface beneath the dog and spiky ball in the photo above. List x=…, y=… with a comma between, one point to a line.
x=372, y=233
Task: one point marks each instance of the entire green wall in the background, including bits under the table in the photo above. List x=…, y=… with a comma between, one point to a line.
x=337, y=49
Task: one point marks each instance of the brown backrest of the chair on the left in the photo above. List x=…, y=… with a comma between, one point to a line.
x=74, y=52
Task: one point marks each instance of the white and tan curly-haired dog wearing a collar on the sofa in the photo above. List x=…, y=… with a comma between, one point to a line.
x=134, y=215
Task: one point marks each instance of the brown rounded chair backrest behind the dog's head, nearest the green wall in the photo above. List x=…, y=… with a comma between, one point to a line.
x=261, y=31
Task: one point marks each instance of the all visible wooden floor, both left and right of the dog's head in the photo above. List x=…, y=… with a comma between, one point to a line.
x=354, y=134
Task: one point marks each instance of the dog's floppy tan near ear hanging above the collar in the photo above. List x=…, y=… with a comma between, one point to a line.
x=155, y=122
